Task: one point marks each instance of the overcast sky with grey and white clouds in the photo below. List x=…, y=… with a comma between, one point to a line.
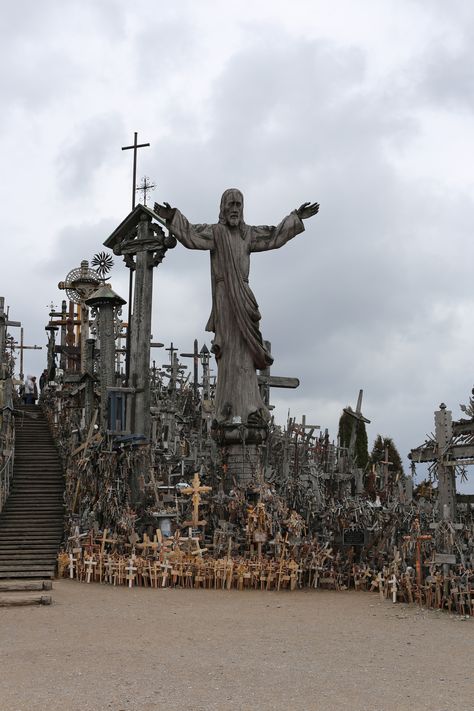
x=365, y=107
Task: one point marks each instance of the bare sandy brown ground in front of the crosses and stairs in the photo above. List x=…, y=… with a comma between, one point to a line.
x=99, y=647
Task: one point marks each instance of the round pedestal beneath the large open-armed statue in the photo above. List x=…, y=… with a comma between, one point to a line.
x=240, y=451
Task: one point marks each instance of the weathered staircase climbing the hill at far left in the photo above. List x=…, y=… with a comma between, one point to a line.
x=31, y=523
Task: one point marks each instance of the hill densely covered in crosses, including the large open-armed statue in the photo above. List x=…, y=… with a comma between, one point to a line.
x=178, y=475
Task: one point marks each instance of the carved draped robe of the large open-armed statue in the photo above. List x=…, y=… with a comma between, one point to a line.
x=235, y=317
